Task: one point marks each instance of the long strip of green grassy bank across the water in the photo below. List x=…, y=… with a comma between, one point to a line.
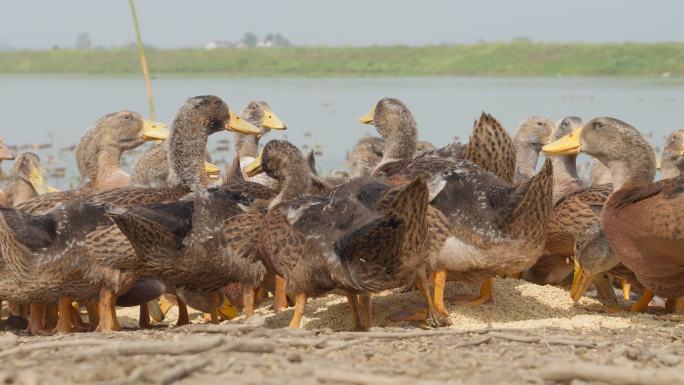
x=489, y=59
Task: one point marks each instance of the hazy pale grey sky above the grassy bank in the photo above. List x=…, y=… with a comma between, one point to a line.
x=173, y=23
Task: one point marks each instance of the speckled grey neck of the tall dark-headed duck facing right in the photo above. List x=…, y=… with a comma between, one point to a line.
x=186, y=156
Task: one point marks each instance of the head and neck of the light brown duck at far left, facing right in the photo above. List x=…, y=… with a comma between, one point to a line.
x=26, y=181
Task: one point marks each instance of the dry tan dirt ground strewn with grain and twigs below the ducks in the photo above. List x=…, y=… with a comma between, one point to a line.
x=529, y=335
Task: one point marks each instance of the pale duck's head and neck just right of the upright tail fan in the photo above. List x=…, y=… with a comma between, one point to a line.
x=532, y=133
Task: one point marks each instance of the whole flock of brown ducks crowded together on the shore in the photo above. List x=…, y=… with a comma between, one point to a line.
x=407, y=216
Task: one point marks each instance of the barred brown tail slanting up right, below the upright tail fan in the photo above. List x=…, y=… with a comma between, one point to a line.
x=530, y=206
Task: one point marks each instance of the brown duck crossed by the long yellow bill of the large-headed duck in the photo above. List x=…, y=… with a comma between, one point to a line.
x=576, y=206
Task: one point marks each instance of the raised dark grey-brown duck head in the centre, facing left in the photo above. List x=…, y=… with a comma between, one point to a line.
x=395, y=123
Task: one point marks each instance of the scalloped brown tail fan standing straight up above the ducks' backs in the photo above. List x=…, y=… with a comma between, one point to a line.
x=491, y=147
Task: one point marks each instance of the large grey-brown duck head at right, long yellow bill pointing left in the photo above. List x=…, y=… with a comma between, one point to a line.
x=614, y=143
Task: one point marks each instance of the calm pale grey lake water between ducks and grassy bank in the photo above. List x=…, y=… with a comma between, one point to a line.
x=324, y=112
